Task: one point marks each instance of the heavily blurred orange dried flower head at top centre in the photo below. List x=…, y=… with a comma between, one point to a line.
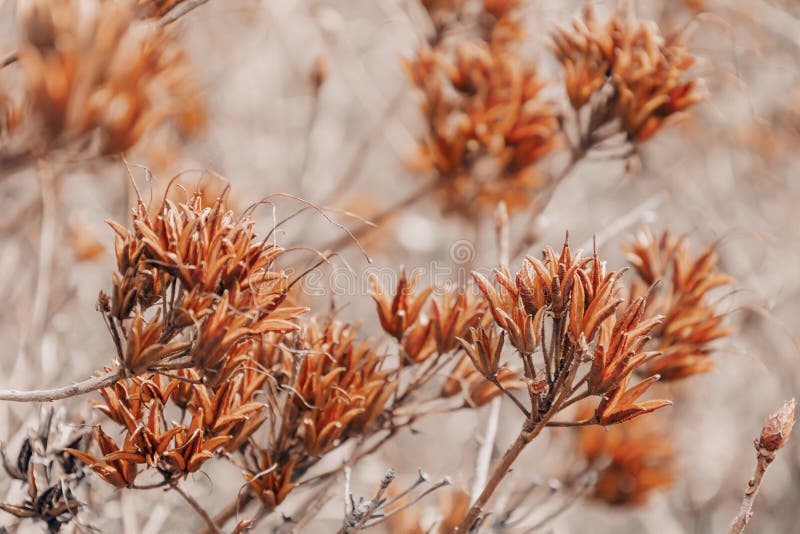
x=488, y=125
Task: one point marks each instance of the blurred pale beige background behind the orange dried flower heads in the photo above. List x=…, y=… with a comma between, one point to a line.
x=309, y=98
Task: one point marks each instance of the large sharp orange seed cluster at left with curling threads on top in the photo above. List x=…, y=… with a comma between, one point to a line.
x=193, y=282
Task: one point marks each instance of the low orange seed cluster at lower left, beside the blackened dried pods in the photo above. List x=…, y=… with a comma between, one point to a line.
x=224, y=418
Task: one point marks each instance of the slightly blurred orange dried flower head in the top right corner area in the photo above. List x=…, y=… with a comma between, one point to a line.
x=645, y=73
